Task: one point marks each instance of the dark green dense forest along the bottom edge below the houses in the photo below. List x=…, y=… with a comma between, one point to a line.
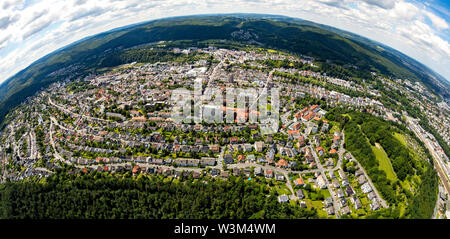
x=99, y=195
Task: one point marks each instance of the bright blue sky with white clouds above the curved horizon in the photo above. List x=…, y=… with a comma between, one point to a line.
x=30, y=29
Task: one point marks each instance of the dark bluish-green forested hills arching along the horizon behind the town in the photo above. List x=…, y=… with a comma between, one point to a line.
x=336, y=47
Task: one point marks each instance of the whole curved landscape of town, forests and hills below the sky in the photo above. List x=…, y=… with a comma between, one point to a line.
x=225, y=116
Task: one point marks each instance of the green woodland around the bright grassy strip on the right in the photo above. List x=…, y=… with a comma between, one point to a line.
x=363, y=130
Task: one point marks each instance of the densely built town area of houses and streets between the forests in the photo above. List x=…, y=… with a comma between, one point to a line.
x=122, y=121
